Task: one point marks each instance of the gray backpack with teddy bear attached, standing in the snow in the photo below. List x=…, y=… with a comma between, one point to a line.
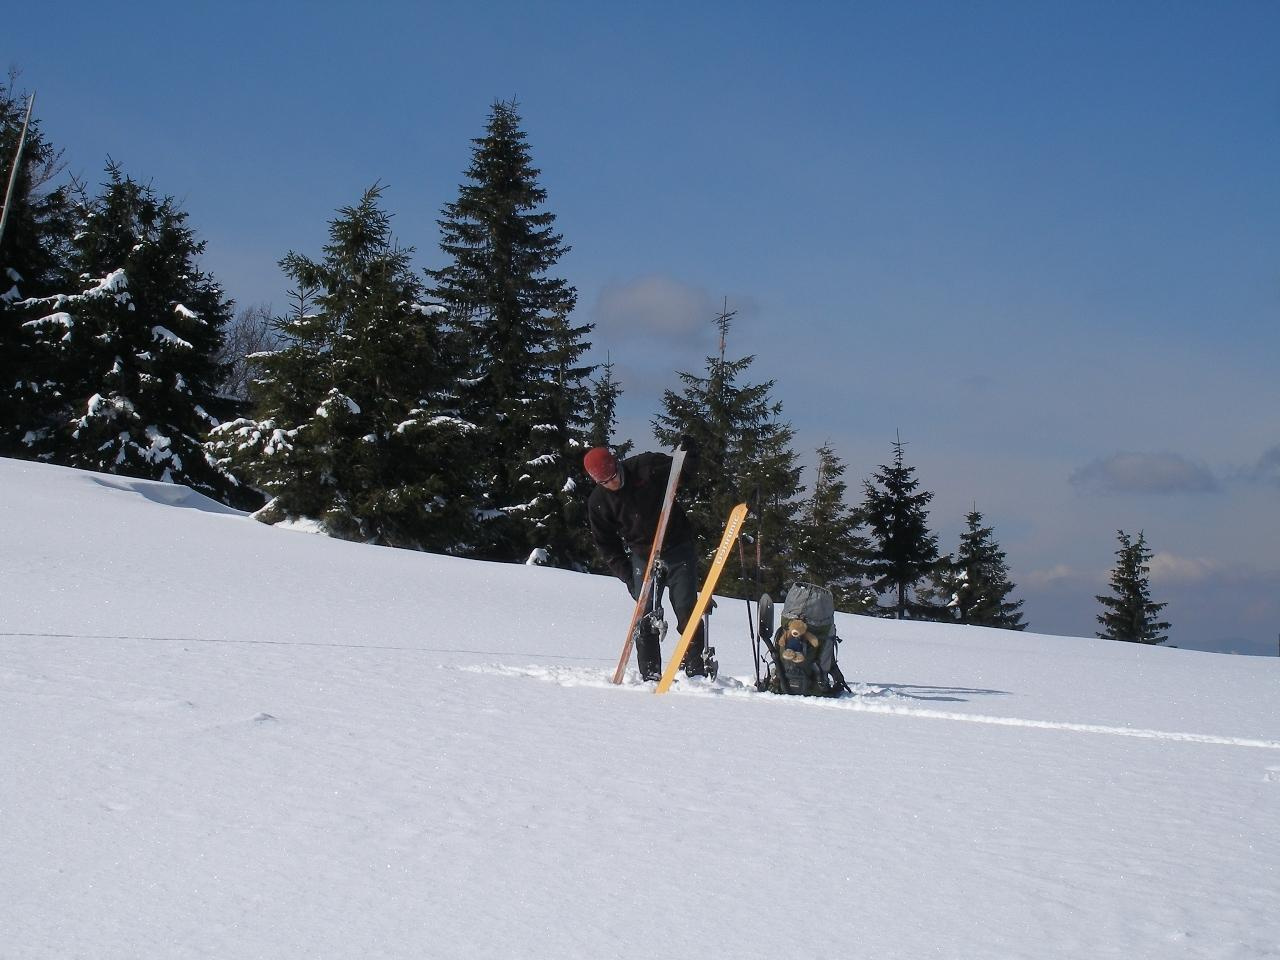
x=806, y=643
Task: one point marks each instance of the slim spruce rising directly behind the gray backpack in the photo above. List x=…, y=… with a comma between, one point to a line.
x=828, y=546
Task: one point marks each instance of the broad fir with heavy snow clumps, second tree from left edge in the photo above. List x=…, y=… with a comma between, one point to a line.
x=132, y=346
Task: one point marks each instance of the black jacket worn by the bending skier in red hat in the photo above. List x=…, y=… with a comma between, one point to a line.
x=629, y=518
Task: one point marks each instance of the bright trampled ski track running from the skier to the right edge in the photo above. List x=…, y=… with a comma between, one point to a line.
x=860, y=702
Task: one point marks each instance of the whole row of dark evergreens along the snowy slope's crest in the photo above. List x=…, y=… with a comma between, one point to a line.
x=445, y=410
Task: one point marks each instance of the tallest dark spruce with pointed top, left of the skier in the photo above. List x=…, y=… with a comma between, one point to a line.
x=527, y=390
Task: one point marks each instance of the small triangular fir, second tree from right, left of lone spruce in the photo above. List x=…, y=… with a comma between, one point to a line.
x=973, y=587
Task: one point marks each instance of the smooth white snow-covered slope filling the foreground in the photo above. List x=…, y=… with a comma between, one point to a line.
x=226, y=740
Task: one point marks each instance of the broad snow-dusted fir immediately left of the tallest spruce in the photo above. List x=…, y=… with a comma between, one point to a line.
x=356, y=422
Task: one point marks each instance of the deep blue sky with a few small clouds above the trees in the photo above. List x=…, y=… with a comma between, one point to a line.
x=1039, y=240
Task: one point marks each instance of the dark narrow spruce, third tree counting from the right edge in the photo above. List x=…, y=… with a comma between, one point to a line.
x=904, y=552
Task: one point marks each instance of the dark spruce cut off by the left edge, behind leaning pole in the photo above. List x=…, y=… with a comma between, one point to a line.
x=35, y=253
